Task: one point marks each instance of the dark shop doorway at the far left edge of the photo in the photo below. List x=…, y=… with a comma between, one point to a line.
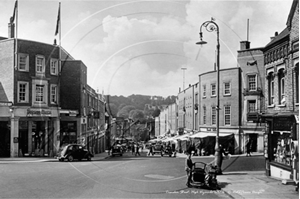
x=4, y=139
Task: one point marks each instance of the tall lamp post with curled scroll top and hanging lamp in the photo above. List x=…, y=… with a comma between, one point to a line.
x=211, y=26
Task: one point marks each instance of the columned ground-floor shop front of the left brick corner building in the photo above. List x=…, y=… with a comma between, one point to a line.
x=34, y=132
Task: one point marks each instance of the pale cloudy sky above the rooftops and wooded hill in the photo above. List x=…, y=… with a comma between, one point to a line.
x=147, y=47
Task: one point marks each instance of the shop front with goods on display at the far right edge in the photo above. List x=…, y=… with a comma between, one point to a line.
x=279, y=142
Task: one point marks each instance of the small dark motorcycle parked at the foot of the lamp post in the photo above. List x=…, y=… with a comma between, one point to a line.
x=204, y=176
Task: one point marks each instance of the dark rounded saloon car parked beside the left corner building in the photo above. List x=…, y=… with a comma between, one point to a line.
x=74, y=151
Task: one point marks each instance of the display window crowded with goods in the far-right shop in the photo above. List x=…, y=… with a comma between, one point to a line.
x=281, y=149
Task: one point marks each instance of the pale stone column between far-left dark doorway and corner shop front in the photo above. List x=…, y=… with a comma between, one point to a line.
x=14, y=133
